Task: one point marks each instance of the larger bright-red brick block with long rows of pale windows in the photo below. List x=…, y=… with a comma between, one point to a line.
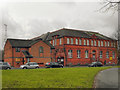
x=75, y=47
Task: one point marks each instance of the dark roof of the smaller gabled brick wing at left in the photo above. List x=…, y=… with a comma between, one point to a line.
x=26, y=43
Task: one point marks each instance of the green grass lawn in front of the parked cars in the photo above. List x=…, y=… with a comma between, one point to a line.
x=77, y=77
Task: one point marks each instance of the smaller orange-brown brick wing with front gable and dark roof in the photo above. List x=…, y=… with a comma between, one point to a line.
x=18, y=51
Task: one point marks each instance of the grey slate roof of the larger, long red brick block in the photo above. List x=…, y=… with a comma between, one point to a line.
x=73, y=33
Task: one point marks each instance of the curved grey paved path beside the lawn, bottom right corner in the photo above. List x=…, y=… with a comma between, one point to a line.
x=108, y=78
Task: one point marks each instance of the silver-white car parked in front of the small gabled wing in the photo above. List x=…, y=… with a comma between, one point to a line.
x=30, y=65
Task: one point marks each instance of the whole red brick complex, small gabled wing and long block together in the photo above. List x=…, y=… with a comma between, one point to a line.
x=66, y=46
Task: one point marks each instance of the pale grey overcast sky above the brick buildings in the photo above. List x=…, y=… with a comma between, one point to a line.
x=31, y=19
